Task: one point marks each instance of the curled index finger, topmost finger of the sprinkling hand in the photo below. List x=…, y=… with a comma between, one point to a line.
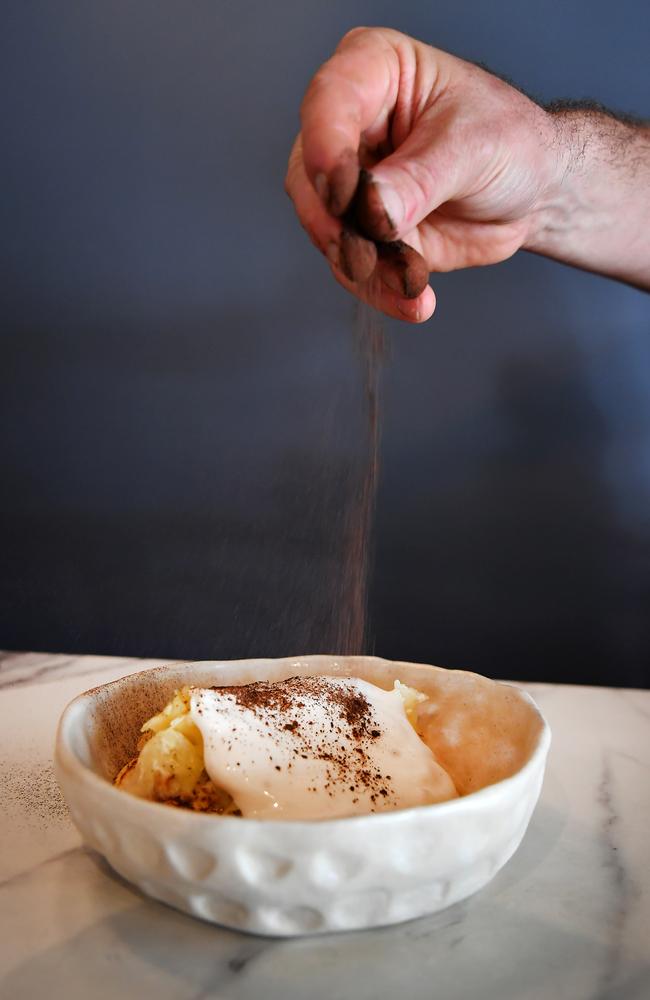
x=354, y=92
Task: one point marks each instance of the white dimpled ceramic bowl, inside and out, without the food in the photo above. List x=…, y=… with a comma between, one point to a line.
x=294, y=878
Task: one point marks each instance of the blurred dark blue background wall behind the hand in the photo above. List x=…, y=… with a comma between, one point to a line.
x=182, y=405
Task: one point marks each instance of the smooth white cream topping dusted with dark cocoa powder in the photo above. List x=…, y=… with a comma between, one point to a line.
x=315, y=748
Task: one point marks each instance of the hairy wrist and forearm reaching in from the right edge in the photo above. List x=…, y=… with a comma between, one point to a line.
x=596, y=215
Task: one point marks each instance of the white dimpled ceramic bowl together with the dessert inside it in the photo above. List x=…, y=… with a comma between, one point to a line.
x=378, y=861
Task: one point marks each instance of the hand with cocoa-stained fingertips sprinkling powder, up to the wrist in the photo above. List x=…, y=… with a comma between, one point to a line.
x=459, y=165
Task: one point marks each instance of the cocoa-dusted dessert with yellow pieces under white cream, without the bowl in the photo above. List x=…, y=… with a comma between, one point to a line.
x=301, y=748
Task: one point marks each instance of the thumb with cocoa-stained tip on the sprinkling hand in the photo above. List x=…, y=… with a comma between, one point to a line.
x=400, y=191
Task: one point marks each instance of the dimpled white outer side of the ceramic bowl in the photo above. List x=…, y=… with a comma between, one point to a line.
x=296, y=878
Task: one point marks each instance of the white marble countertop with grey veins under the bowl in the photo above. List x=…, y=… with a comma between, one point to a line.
x=568, y=917
